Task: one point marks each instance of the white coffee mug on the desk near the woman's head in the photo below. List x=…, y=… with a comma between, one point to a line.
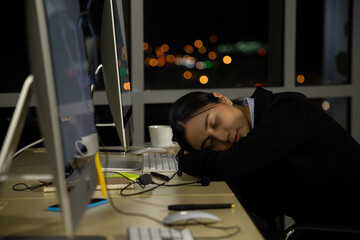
x=160, y=135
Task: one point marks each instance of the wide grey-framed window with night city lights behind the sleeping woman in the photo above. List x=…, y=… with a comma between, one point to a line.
x=302, y=50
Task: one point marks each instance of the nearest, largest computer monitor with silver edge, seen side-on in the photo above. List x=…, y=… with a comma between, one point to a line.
x=65, y=109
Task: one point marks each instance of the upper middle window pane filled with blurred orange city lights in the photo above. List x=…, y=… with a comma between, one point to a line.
x=208, y=44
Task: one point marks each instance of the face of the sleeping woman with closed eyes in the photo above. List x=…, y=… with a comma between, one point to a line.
x=217, y=126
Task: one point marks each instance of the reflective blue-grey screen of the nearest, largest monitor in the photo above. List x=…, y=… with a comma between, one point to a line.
x=71, y=77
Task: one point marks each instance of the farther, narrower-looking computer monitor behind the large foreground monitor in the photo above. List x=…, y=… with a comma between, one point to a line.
x=115, y=70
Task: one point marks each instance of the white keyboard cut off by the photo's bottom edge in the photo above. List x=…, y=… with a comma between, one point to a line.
x=144, y=233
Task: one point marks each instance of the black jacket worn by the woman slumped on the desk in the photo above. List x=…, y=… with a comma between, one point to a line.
x=297, y=161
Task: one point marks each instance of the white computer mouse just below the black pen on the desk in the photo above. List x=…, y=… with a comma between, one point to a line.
x=186, y=217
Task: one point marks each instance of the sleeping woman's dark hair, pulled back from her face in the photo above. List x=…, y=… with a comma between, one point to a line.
x=183, y=110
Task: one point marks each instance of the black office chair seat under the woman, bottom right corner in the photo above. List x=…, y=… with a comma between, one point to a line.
x=312, y=231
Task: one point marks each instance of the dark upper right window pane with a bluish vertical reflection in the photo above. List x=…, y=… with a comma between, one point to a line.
x=323, y=42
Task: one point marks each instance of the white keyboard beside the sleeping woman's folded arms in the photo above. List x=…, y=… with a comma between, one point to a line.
x=159, y=162
